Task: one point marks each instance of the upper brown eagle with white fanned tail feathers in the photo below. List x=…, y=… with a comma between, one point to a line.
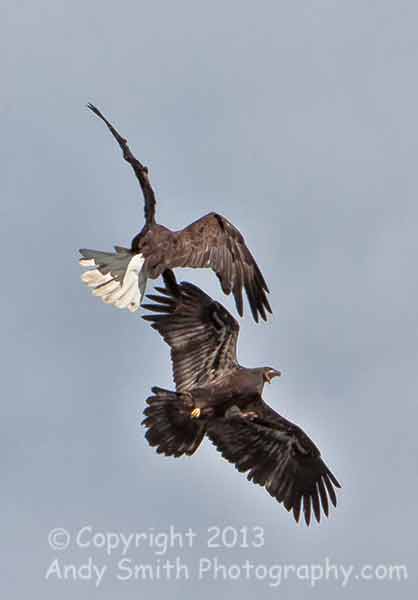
x=210, y=242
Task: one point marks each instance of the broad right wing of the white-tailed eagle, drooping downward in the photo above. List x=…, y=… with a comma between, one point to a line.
x=214, y=242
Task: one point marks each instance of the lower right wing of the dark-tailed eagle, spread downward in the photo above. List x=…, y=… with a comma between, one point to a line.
x=277, y=455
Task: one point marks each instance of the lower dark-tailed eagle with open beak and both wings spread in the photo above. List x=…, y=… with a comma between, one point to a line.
x=217, y=397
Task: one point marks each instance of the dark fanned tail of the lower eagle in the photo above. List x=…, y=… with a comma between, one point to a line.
x=170, y=428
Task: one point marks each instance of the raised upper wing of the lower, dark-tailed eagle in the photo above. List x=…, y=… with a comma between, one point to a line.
x=201, y=333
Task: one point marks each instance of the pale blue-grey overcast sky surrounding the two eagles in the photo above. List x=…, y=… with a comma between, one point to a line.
x=298, y=122
